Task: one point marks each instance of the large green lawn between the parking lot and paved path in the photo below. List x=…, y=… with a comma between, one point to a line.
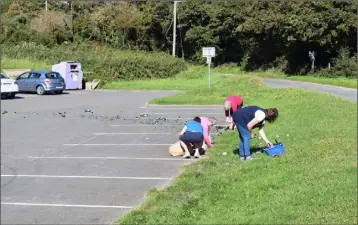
x=314, y=182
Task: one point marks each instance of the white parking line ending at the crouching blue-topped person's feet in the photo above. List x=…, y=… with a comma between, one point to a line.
x=109, y=157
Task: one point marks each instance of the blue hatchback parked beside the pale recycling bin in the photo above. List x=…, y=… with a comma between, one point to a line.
x=41, y=81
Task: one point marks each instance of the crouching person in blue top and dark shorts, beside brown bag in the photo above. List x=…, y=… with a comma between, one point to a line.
x=192, y=136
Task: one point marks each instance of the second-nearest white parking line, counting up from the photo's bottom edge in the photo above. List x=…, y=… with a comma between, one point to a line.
x=85, y=177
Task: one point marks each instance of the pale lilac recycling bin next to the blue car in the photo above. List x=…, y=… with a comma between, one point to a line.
x=71, y=73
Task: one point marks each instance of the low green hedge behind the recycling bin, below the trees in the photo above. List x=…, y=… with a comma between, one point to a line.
x=102, y=63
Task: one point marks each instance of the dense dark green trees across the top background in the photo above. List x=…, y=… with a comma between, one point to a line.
x=252, y=34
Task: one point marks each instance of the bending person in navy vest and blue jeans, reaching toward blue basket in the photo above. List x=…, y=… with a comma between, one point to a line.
x=248, y=118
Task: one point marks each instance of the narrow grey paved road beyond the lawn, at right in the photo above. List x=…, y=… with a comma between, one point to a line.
x=346, y=93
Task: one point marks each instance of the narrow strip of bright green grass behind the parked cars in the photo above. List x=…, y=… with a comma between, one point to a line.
x=7, y=63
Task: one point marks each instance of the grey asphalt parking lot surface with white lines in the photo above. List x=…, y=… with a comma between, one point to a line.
x=62, y=165
